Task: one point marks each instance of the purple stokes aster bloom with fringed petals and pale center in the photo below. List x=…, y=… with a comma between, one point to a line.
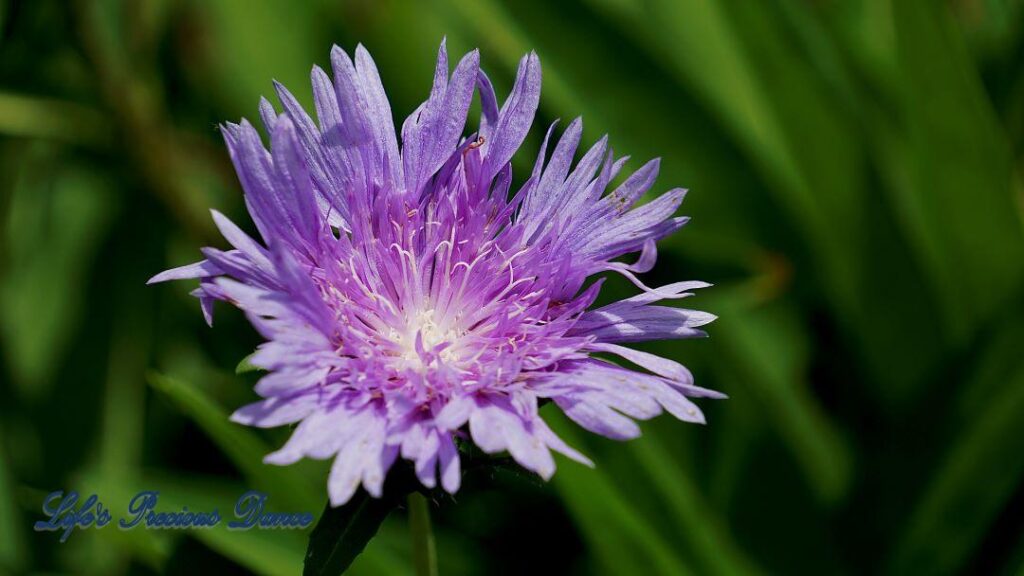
x=409, y=300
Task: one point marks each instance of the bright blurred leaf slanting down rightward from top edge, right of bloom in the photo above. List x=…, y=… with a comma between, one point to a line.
x=748, y=74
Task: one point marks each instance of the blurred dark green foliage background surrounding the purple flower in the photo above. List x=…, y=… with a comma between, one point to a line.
x=855, y=173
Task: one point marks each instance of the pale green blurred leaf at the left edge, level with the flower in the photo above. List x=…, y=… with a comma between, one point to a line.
x=55, y=223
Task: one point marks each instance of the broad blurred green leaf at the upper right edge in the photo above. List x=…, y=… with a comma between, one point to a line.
x=960, y=204
